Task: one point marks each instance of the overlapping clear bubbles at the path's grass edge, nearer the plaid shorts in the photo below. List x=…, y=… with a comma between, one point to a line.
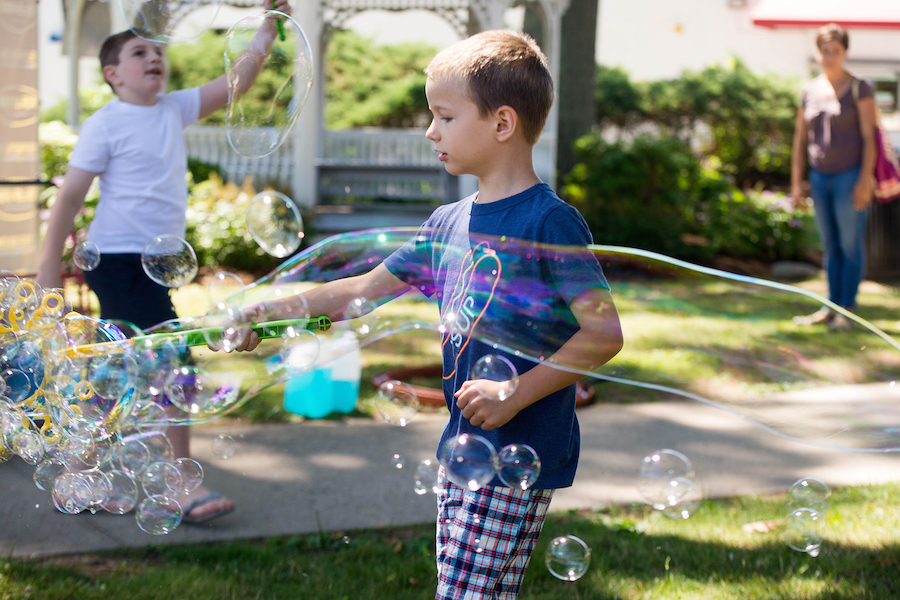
x=666, y=483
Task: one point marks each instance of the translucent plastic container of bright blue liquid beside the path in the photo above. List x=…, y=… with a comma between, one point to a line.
x=332, y=386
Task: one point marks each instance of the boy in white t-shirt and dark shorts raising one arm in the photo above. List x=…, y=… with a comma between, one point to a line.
x=135, y=144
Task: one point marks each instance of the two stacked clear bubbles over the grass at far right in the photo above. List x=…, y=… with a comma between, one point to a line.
x=807, y=502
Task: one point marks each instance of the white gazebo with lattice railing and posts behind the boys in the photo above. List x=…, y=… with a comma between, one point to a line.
x=311, y=150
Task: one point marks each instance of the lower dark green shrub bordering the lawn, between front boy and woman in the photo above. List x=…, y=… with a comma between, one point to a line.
x=655, y=194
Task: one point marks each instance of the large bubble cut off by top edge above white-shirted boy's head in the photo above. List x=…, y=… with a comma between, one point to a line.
x=163, y=21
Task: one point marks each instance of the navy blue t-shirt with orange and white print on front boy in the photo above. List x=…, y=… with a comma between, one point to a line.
x=507, y=271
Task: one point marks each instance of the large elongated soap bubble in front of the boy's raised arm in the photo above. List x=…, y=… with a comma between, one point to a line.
x=288, y=63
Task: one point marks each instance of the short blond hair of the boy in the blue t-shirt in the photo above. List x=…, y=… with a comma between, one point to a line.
x=501, y=68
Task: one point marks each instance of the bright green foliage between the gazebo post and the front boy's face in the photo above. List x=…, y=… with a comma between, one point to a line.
x=375, y=86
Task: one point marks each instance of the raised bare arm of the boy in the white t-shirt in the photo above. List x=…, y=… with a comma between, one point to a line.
x=214, y=94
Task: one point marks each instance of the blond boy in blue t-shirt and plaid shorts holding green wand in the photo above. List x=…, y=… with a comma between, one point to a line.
x=490, y=95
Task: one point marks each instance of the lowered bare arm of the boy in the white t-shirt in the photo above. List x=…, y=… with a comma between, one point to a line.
x=69, y=201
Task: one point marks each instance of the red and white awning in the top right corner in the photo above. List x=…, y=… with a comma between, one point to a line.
x=880, y=14
